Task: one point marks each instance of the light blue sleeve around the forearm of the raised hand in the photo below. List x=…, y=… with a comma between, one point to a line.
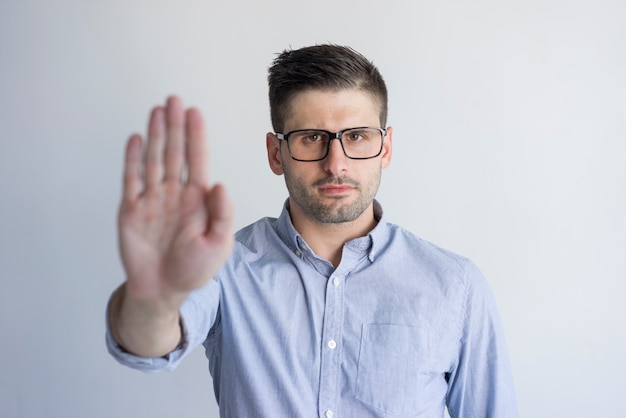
x=197, y=313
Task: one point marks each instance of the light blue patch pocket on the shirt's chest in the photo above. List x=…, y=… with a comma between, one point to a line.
x=397, y=369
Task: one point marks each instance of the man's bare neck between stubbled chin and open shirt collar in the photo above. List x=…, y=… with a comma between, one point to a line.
x=327, y=239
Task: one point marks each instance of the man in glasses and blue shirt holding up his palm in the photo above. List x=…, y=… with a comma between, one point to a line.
x=328, y=310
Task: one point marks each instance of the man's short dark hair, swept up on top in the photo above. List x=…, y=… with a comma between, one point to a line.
x=323, y=67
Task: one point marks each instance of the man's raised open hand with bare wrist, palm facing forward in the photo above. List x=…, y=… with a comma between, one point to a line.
x=174, y=230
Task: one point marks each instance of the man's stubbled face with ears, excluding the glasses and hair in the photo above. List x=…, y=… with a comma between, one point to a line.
x=337, y=189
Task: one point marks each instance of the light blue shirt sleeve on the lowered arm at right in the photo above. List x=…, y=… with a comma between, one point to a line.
x=481, y=383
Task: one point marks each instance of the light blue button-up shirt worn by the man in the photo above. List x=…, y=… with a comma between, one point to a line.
x=401, y=328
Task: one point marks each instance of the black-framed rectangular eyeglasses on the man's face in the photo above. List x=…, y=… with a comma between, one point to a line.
x=314, y=144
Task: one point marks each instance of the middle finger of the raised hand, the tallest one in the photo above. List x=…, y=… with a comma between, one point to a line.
x=175, y=142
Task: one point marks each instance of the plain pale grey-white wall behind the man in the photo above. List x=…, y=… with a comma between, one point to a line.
x=509, y=147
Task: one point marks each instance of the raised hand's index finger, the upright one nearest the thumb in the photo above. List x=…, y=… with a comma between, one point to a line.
x=196, y=149
